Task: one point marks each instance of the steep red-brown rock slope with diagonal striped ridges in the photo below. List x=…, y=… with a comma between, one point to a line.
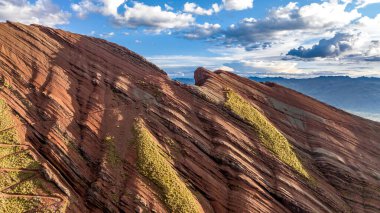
x=112, y=133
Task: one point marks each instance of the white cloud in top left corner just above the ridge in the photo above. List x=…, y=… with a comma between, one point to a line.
x=42, y=12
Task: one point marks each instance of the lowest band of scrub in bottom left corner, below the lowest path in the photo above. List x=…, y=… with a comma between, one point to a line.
x=19, y=204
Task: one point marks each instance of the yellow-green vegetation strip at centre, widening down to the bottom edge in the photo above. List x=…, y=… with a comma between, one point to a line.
x=156, y=168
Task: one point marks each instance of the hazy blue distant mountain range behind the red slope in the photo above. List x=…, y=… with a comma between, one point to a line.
x=360, y=96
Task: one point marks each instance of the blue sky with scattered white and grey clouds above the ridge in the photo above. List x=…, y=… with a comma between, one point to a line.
x=266, y=38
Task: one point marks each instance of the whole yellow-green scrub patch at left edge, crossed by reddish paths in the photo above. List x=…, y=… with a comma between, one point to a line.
x=18, y=169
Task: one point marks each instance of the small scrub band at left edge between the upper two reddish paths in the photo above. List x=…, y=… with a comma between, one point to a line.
x=21, y=160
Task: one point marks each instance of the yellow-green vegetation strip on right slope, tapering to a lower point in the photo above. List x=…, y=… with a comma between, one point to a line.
x=267, y=132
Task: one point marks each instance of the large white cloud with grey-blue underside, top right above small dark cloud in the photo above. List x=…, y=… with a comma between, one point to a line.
x=289, y=23
